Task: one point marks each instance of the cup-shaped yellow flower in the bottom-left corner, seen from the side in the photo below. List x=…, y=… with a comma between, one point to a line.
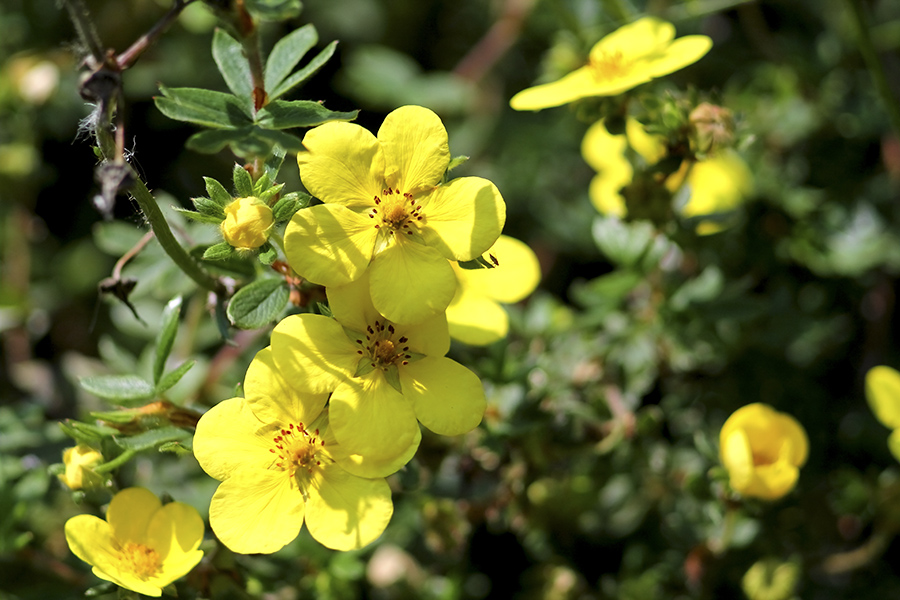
x=143, y=545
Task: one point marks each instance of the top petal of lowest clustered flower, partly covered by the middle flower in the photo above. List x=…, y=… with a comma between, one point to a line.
x=273, y=398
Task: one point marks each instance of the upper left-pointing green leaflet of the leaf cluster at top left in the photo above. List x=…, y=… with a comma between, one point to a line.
x=203, y=107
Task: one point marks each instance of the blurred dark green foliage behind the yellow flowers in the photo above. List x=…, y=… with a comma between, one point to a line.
x=595, y=472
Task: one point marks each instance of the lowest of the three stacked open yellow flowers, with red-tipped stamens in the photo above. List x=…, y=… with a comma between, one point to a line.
x=280, y=466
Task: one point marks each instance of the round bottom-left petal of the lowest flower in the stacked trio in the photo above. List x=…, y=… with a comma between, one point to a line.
x=256, y=511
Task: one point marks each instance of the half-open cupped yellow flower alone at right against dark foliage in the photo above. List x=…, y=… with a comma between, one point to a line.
x=763, y=450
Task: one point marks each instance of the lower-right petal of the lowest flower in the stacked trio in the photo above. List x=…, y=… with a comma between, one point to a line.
x=346, y=512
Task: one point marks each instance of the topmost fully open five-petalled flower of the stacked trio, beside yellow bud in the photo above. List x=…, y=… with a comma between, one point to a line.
x=387, y=213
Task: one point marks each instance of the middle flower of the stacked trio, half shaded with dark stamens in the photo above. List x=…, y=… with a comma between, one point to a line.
x=382, y=376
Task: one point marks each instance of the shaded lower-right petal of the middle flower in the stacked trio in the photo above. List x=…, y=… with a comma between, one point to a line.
x=448, y=398
